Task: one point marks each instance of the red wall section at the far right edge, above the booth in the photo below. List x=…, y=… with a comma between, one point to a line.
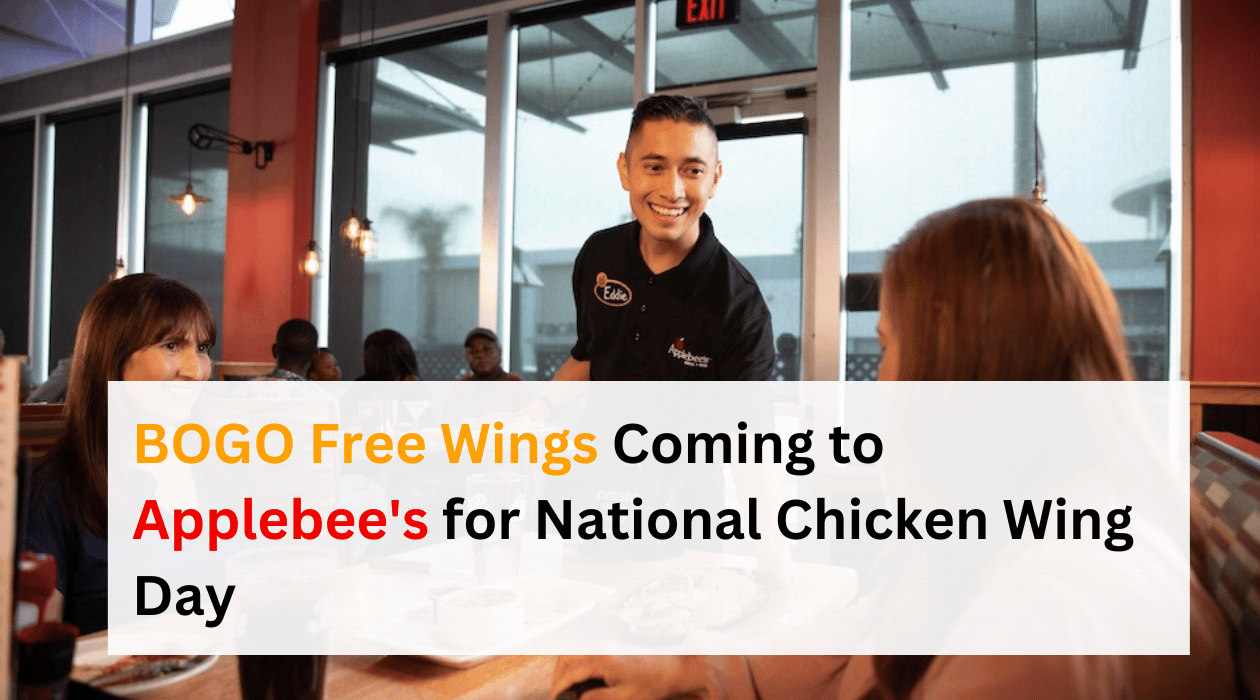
x=1225, y=70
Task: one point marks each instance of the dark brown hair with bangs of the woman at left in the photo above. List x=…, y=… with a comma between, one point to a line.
x=123, y=318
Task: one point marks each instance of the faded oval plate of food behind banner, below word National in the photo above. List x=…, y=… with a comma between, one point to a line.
x=692, y=600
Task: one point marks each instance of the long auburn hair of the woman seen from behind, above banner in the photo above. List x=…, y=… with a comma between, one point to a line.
x=1000, y=290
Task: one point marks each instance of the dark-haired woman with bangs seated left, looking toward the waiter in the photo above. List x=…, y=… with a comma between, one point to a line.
x=140, y=328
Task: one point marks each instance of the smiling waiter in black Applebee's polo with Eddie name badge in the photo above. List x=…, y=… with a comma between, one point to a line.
x=661, y=298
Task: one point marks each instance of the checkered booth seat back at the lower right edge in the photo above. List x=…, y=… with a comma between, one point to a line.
x=1225, y=485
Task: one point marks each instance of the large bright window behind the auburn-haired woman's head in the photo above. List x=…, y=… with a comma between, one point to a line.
x=928, y=133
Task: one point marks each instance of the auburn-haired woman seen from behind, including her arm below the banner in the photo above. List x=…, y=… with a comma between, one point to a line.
x=988, y=291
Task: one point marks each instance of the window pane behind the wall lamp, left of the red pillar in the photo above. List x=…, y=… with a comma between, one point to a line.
x=188, y=247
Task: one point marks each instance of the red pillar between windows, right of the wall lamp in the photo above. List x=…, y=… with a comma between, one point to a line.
x=275, y=87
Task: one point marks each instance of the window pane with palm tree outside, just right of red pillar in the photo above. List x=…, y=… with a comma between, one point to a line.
x=420, y=177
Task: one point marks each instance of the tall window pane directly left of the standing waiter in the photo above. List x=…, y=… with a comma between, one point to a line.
x=575, y=93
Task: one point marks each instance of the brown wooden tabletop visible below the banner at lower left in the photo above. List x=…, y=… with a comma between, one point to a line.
x=386, y=678
